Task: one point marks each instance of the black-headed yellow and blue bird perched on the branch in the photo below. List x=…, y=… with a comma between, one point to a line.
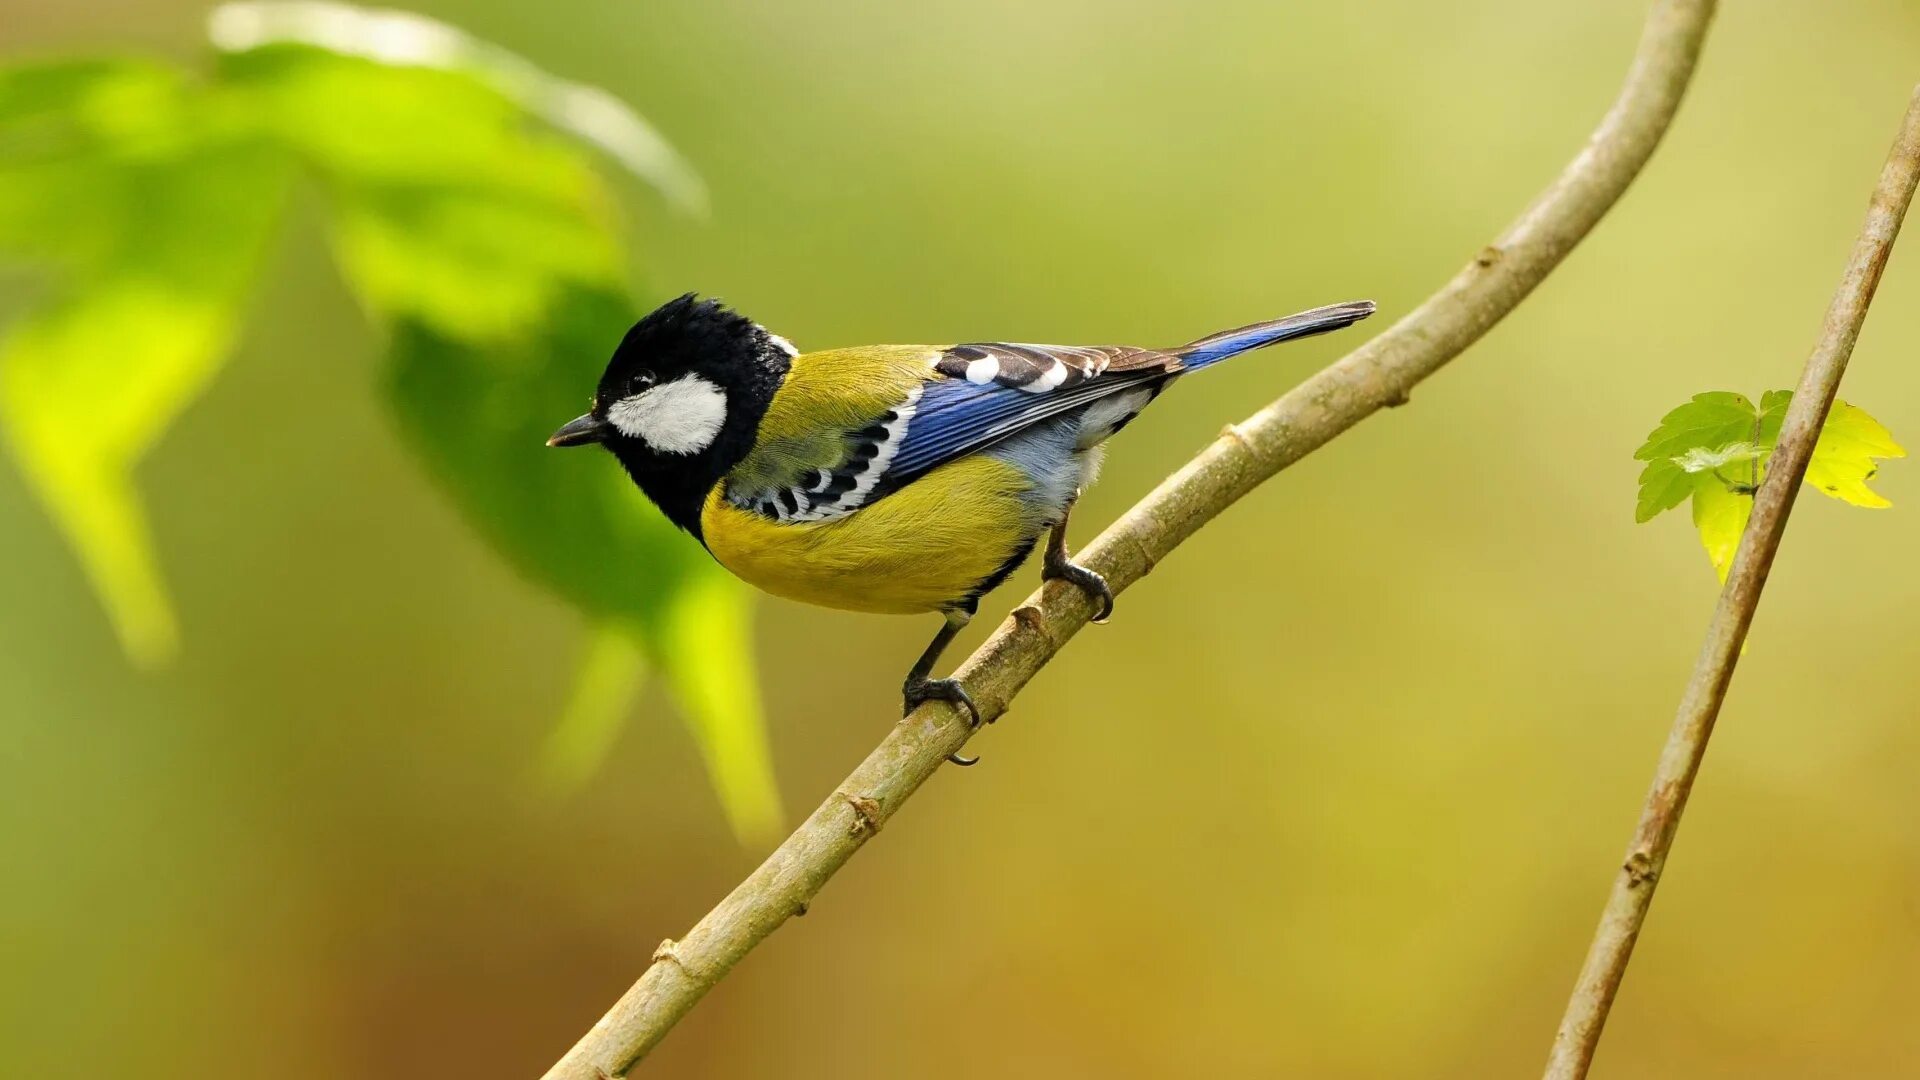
x=888, y=479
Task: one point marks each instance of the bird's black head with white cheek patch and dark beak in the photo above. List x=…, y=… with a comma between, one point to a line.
x=683, y=399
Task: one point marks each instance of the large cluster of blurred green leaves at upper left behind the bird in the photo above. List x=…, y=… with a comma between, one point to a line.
x=464, y=218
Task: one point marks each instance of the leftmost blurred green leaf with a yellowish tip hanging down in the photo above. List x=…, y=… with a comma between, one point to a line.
x=153, y=210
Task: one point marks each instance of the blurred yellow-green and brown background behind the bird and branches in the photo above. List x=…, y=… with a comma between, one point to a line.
x=1337, y=795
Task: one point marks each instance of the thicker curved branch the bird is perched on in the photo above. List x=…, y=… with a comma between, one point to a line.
x=1380, y=374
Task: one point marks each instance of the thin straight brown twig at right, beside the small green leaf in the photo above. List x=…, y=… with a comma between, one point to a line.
x=1714, y=672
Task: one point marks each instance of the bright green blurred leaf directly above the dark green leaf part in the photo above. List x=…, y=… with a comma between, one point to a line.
x=475, y=230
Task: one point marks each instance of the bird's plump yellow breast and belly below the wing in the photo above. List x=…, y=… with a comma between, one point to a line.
x=921, y=549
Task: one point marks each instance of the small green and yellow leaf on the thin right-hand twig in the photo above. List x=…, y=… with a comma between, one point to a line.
x=1716, y=451
